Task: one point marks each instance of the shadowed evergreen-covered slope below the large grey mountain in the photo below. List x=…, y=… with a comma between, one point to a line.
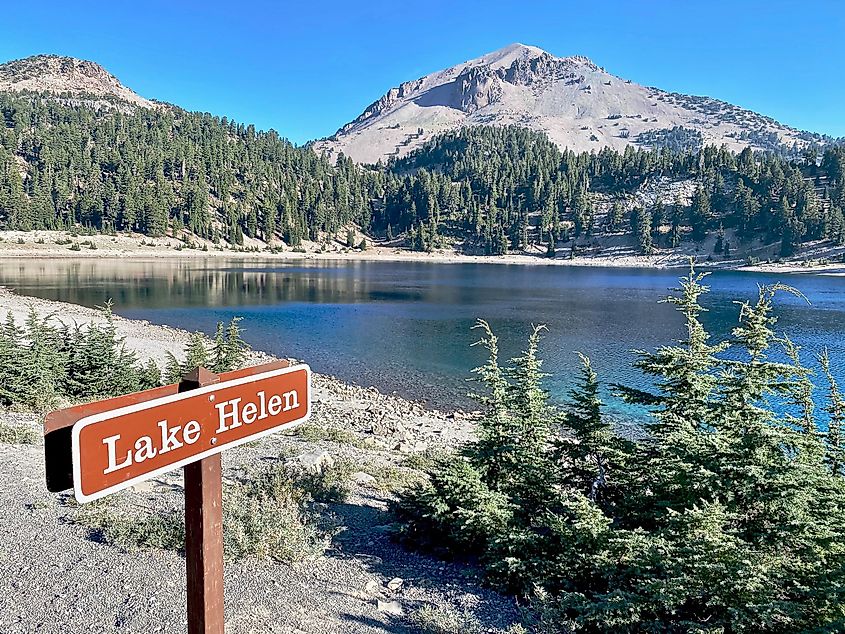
x=517, y=189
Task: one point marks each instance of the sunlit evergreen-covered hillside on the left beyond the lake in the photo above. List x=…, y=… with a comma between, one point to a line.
x=159, y=170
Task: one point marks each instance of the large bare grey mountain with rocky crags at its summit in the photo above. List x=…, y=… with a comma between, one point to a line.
x=577, y=103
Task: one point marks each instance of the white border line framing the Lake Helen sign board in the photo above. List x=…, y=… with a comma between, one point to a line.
x=82, y=498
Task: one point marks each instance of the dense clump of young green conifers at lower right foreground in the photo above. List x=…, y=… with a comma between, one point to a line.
x=724, y=518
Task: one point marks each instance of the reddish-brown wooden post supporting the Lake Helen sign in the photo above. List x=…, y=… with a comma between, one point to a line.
x=204, y=531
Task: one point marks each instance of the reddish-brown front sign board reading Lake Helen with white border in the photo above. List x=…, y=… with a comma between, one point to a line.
x=117, y=448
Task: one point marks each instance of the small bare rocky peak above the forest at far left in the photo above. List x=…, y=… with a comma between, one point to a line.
x=67, y=77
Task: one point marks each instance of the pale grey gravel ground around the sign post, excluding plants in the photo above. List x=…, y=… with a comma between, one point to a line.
x=58, y=579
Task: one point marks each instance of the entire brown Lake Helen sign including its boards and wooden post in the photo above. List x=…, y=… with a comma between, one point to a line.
x=103, y=447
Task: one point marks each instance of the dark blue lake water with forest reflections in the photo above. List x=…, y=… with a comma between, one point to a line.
x=407, y=327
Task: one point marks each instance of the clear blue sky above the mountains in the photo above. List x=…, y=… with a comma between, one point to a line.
x=306, y=67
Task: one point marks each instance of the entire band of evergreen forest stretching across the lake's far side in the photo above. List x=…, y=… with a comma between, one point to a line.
x=65, y=164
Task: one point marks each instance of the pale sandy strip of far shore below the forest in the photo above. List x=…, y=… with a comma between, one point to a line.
x=44, y=245
